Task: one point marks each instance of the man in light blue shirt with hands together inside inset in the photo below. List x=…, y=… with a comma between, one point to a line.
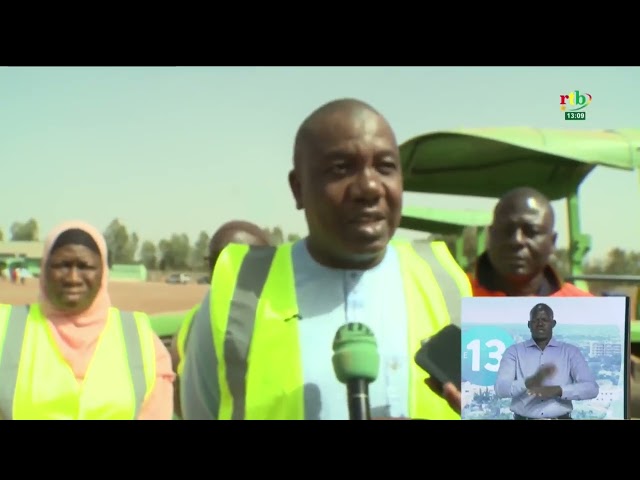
x=543, y=376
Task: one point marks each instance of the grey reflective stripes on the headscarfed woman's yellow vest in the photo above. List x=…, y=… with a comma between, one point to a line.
x=12, y=351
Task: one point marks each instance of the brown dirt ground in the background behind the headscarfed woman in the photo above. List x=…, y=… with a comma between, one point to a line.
x=149, y=297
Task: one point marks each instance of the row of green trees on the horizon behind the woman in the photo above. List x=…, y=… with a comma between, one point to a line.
x=175, y=252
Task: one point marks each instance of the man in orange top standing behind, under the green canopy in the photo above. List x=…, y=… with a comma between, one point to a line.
x=521, y=240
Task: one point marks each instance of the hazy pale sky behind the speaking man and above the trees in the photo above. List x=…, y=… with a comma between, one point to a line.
x=184, y=149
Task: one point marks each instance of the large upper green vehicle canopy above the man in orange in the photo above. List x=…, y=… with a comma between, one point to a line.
x=487, y=162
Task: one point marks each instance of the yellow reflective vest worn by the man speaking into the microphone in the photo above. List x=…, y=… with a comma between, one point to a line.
x=259, y=361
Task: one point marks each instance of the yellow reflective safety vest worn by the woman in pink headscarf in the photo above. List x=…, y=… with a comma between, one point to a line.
x=36, y=383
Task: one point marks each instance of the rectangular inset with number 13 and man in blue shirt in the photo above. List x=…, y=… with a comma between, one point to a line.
x=545, y=358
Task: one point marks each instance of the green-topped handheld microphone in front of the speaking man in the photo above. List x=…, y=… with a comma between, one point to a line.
x=356, y=363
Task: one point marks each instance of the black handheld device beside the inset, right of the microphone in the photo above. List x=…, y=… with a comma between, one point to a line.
x=440, y=356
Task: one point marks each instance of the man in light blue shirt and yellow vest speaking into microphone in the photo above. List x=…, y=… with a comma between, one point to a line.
x=263, y=348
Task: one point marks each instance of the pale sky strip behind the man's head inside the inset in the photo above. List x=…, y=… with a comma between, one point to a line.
x=566, y=310
